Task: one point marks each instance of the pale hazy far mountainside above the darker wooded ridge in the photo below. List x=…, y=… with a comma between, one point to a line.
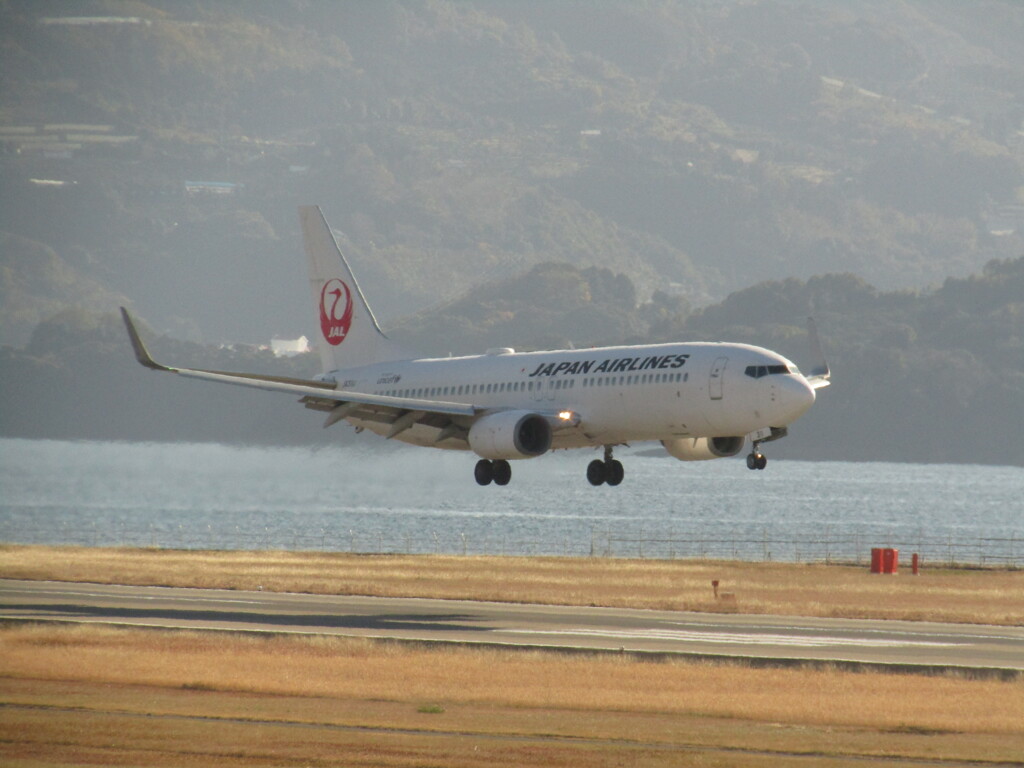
x=156, y=151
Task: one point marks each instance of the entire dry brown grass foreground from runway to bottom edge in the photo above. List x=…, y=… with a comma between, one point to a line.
x=89, y=695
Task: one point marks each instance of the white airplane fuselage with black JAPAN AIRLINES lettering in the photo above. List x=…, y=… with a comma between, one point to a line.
x=621, y=395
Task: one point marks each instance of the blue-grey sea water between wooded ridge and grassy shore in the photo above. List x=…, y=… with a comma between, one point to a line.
x=405, y=500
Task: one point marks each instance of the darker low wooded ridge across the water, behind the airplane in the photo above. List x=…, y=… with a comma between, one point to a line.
x=918, y=377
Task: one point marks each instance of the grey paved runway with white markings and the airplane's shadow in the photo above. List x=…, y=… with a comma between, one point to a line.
x=911, y=647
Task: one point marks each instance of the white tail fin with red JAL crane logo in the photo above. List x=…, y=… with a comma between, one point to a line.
x=348, y=333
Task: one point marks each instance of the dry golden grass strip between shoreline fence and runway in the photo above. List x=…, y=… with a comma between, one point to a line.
x=830, y=591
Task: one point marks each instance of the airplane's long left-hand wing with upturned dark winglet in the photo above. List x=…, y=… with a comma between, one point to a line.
x=321, y=396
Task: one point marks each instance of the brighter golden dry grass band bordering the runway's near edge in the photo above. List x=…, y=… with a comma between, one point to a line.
x=352, y=668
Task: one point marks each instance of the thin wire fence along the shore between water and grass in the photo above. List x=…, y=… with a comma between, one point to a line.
x=825, y=546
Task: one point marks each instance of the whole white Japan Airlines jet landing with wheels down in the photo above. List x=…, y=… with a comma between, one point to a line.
x=701, y=401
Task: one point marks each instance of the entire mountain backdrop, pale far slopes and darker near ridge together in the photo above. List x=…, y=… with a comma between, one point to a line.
x=531, y=175
